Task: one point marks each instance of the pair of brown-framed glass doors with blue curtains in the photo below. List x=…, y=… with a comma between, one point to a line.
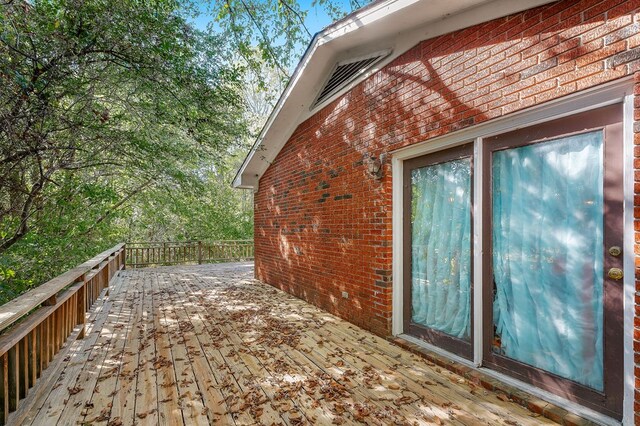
x=551, y=232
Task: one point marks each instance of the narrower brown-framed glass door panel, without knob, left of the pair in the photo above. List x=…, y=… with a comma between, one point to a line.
x=438, y=285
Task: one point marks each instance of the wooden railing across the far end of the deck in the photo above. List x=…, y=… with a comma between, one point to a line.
x=188, y=252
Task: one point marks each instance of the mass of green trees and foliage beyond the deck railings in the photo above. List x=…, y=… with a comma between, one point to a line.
x=119, y=121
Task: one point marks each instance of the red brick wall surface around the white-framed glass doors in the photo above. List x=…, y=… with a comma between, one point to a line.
x=323, y=226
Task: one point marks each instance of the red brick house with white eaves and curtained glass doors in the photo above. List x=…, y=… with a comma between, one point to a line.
x=460, y=174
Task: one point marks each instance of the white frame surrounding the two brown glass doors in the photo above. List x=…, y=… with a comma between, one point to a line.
x=620, y=91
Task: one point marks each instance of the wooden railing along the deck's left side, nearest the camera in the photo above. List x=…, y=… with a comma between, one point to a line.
x=37, y=327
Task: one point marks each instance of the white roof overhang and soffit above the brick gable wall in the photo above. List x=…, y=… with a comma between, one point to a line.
x=397, y=25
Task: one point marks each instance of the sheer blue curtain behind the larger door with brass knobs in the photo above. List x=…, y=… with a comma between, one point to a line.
x=547, y=256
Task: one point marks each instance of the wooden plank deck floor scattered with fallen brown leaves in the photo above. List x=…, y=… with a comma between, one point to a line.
x=207, y=344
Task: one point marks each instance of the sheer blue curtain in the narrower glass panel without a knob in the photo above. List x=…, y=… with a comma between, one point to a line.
x=441, y=247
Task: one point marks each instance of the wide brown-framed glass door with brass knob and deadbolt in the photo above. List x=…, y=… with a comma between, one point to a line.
x=552, y=291
